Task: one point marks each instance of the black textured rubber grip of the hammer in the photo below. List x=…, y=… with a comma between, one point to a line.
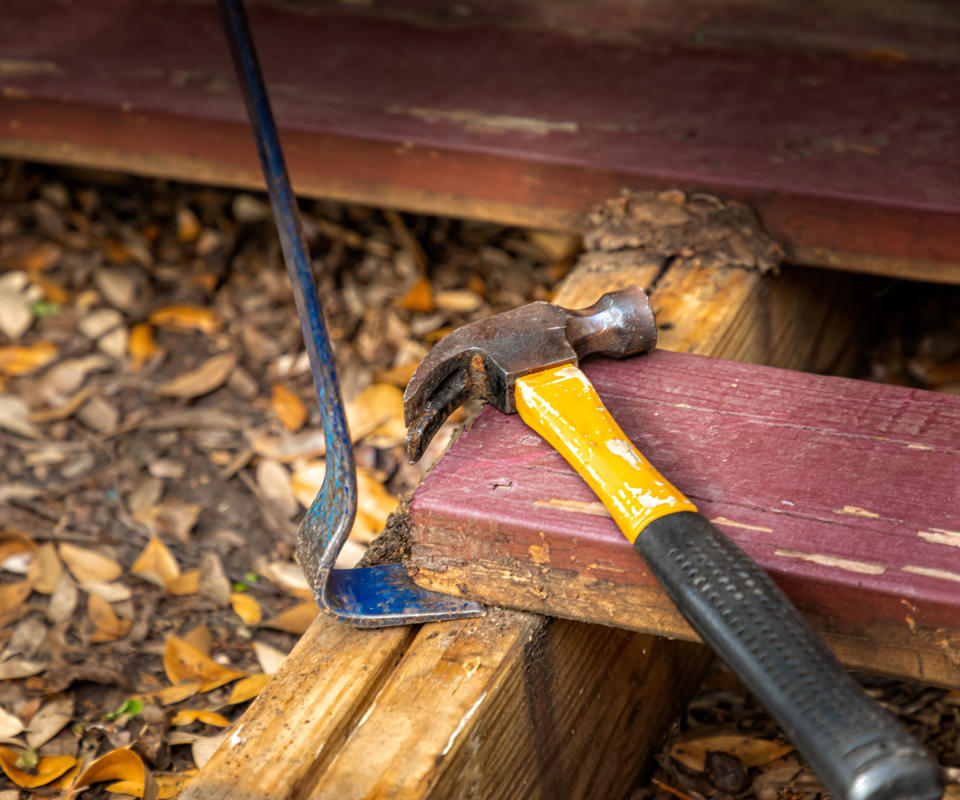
x=857, y=749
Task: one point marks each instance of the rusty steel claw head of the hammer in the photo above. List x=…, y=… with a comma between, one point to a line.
x=484, y=359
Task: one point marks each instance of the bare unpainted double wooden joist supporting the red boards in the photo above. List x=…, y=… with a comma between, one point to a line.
x=504, y=691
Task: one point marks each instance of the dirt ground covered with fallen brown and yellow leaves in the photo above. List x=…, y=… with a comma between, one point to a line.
x=159, y=441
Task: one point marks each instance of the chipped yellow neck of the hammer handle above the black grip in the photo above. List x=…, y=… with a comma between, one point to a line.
x=562, y=406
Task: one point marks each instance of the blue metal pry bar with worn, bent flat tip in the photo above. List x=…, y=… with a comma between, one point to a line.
x=369, y=596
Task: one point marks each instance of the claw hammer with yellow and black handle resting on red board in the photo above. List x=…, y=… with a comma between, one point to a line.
x=526, y=361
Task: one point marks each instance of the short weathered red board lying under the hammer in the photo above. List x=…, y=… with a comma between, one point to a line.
x=846, y=492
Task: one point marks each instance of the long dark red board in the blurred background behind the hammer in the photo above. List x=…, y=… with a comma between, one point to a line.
x=841, y=129
